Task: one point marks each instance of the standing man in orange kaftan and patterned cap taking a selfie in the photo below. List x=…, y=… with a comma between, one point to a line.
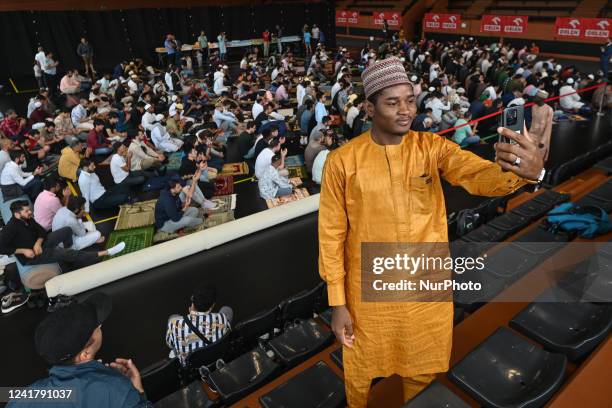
x=384, y=186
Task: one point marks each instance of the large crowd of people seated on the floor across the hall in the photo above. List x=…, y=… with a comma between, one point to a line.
x=133, y=120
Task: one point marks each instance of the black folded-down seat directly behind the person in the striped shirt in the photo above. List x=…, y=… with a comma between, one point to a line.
x=242, y=375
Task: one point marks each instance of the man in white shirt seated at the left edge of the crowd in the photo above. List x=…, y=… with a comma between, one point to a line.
x=14, y=181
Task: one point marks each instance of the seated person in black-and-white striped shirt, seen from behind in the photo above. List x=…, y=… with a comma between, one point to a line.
x=182, y=340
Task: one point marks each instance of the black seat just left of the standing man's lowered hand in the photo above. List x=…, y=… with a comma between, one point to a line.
x=300, y=341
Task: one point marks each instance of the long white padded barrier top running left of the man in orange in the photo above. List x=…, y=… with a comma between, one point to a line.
x=114, y=269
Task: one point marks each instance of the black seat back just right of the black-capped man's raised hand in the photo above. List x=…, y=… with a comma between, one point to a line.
x=161, y=379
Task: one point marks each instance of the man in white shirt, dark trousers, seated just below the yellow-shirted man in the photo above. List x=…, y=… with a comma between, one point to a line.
x=95, y=194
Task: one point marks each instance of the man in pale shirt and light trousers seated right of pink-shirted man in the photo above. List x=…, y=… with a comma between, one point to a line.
x=84, y=234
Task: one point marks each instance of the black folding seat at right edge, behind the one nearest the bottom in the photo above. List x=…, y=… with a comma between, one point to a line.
x=561, y=323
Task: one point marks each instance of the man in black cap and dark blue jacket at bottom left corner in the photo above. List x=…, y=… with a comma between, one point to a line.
x=69, y=340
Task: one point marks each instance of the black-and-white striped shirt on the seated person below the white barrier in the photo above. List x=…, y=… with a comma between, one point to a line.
x=182, y=341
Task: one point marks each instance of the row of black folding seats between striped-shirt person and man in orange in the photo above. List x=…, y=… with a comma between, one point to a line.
x=257, y=350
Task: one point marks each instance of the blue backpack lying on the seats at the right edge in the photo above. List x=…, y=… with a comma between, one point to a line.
x=586, y=221
